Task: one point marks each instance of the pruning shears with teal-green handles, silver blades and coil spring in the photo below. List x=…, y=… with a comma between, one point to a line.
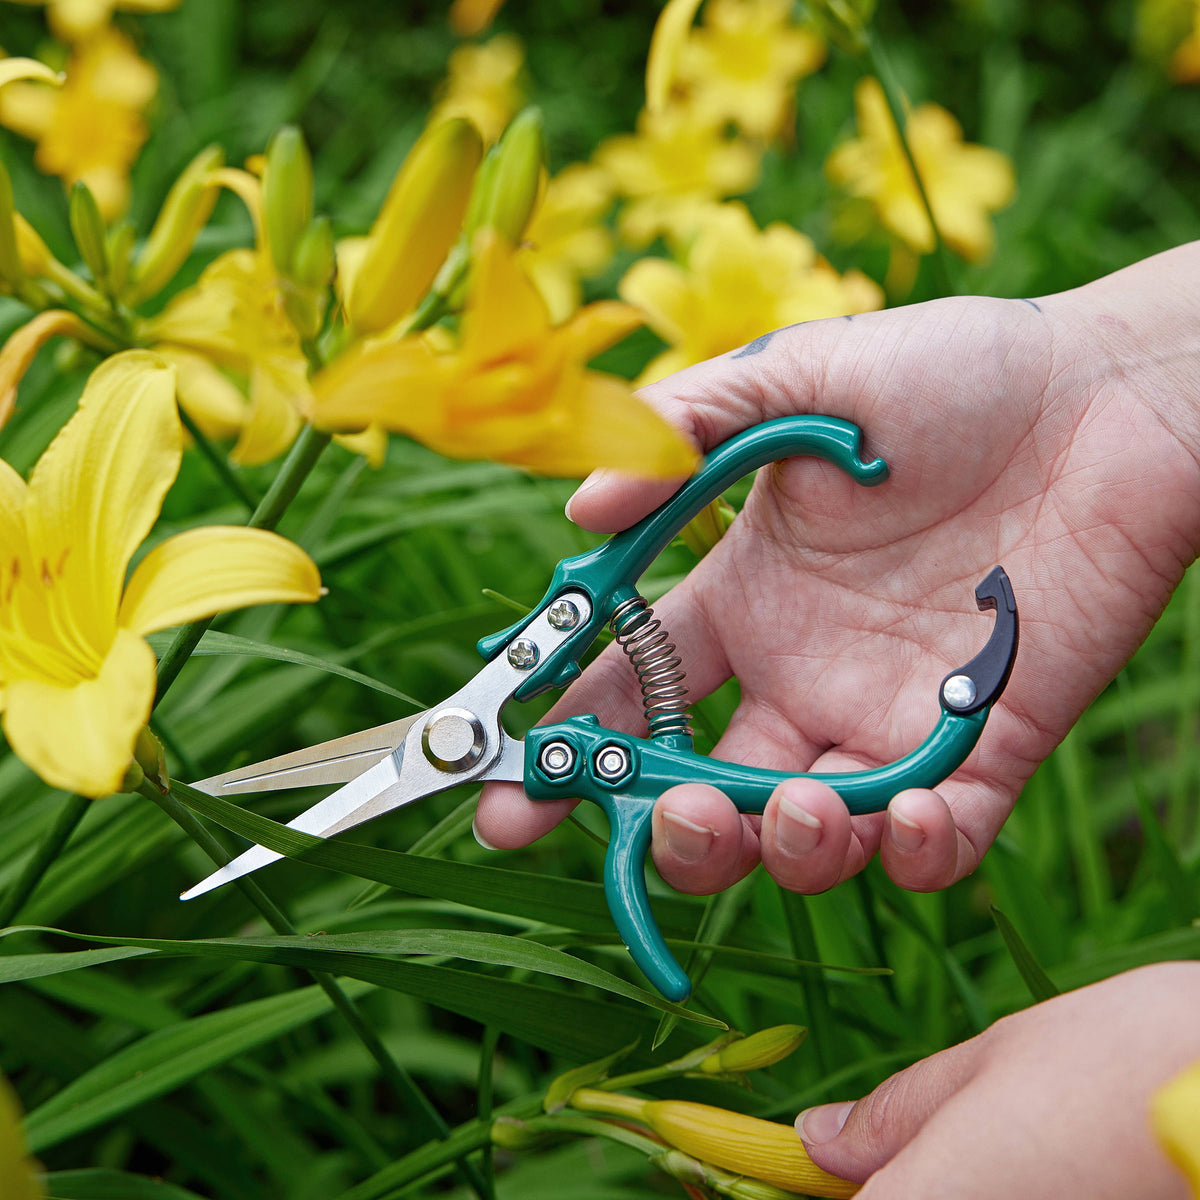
x=461, y=741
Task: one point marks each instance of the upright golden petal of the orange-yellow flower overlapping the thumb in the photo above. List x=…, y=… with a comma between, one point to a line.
x=506, y=315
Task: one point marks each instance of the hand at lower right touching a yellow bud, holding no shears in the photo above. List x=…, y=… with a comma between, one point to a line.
x=1051, y=1103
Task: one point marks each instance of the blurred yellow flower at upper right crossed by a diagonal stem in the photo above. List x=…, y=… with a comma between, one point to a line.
x=964, y=183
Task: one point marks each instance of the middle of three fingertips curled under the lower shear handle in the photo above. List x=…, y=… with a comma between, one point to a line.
x=806, y=839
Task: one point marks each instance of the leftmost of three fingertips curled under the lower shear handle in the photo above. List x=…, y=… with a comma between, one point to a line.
x=700, y=842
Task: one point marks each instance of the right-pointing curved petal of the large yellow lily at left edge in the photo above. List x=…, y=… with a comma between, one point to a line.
x=205, y=572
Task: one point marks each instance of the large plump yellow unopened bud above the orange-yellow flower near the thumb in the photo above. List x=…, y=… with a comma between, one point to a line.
x=417, y=226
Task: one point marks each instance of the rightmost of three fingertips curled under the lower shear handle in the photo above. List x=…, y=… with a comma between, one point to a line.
x=923, y=849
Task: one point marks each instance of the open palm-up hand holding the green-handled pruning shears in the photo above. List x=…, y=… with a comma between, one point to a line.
x=1055, y=437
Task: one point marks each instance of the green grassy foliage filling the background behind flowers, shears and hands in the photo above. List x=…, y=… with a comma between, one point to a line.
x=227, y=1076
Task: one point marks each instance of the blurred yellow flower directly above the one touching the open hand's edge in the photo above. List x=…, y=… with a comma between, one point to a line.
x=673, y=170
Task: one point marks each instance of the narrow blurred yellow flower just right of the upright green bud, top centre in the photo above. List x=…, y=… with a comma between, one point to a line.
x=566, y=241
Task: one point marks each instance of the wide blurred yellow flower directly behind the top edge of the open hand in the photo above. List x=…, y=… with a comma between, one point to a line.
x=736, y=284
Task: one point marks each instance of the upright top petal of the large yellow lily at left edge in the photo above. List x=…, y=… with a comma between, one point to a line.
x=98, y=490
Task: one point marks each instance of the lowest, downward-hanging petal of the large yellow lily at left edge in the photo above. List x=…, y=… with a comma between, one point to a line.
x=81, y=739
